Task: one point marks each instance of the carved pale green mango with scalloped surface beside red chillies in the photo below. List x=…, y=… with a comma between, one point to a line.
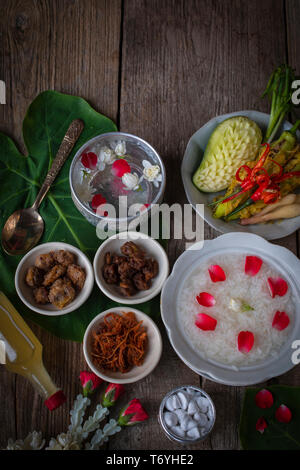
x=233, y=143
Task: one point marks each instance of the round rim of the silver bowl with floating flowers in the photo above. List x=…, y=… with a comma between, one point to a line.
x=125, y=134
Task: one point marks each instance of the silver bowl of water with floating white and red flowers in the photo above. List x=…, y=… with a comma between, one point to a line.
x=137, y=150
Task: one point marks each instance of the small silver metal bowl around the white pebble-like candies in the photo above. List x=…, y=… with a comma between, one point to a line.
x=169, y=433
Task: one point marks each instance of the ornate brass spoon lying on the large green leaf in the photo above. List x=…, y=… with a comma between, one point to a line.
x=24, y=228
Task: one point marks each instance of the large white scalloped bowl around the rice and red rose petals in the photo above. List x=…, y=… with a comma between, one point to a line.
x=283, y=260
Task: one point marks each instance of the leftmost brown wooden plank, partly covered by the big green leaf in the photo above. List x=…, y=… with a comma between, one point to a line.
x=72, y=47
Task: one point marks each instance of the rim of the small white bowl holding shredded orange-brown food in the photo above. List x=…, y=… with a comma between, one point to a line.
x=139, y=376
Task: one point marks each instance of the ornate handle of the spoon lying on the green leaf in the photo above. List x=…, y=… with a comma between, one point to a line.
x=69, y=140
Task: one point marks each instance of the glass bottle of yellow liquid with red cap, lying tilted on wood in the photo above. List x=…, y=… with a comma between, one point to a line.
x=23, y=353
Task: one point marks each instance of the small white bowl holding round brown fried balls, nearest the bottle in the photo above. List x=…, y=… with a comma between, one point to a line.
x=25, y=292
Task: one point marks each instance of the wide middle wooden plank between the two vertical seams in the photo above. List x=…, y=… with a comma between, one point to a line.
x=184, y=63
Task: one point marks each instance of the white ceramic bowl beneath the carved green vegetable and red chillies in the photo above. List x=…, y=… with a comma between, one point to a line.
x=191, y=160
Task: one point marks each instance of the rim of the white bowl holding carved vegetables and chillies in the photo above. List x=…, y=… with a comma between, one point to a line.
x=231, y=227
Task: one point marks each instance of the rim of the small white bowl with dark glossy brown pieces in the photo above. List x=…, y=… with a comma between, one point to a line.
x=153, y=292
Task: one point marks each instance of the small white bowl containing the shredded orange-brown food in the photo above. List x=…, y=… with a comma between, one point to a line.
x=152, y=356
